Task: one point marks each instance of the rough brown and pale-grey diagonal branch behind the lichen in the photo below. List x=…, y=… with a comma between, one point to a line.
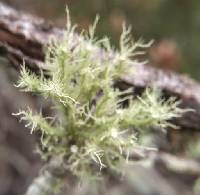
x=23, y=36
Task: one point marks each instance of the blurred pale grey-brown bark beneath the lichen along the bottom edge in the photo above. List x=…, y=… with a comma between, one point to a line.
x=171, y=176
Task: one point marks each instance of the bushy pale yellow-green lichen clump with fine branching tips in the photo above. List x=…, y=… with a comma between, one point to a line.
x=91, y=127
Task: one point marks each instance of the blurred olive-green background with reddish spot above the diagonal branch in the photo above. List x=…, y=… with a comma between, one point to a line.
x=173, y=24
